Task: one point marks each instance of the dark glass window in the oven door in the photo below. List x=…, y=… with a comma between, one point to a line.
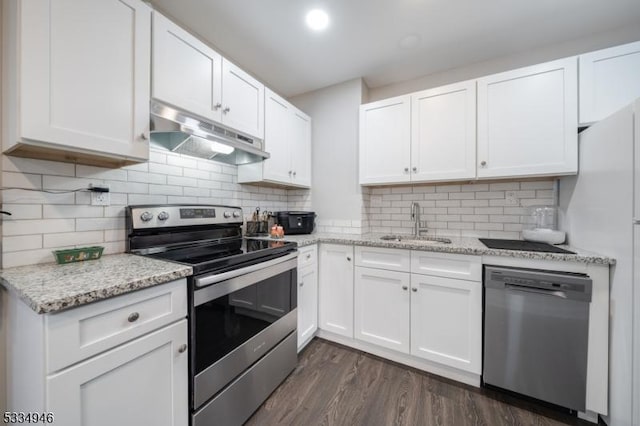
x=225, y=323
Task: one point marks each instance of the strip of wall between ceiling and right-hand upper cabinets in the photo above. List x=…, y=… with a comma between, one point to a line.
x=530, y=57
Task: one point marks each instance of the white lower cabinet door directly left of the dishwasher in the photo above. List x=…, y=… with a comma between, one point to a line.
x=446, y=321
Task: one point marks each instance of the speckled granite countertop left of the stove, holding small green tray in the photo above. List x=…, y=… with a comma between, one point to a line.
x=50, y=287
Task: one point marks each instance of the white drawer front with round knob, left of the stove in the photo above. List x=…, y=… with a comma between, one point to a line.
x=82, y=332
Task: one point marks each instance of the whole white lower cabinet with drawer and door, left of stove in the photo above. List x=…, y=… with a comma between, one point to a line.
x=121, y=361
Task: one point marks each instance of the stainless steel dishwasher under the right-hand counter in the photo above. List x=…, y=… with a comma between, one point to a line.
x=536, y=326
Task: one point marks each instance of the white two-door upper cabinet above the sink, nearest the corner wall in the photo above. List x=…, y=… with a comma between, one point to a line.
x=424, y=137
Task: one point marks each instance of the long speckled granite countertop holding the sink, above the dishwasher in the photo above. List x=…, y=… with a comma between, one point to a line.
x=471, y=246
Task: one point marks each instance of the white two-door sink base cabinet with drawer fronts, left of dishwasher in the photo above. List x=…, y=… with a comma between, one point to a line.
x=433, y=315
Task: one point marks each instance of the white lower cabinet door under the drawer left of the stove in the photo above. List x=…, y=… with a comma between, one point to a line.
x=143, y=382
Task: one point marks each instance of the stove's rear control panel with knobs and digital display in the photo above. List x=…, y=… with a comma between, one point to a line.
x=161, y=216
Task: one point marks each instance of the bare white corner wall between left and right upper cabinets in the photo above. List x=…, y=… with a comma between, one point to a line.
x=336, y=196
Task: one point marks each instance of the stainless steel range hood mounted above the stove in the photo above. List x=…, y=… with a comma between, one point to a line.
x=185, y=133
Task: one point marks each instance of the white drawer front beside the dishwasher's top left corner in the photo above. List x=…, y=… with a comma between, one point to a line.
x=447, y=265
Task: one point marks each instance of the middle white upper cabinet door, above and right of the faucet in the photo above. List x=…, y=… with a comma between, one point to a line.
x=443, y=133
